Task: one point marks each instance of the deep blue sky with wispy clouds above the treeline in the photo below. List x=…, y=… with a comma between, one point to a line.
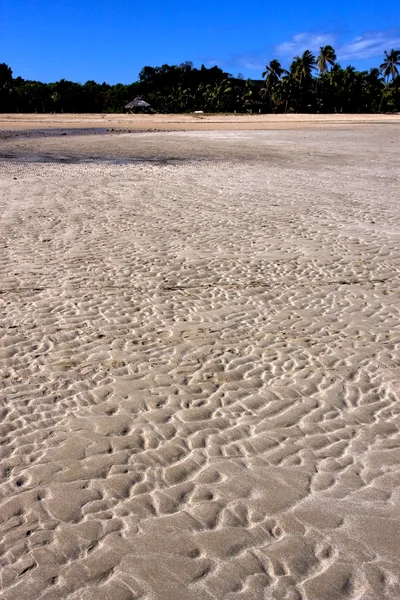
x=111, y=40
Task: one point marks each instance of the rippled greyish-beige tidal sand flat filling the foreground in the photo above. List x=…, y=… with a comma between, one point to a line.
x=200, y=359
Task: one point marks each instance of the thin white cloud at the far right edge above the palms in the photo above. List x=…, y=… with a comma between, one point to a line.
x=369, y=45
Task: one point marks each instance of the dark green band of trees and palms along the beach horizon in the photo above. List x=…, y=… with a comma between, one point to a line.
x=312, y=84
